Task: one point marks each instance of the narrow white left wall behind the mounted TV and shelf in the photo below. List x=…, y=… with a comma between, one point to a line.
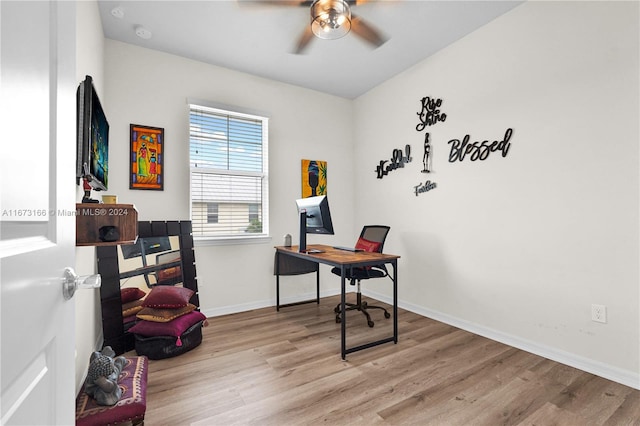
x=89, y=61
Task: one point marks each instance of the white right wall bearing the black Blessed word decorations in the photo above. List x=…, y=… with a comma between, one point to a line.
x=518, y=248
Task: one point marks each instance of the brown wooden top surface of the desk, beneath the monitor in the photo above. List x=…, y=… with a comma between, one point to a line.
x=337, y=257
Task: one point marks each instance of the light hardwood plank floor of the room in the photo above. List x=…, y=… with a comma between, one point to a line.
x=283, y=368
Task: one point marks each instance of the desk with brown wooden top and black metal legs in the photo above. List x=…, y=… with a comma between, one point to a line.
x=346, y=260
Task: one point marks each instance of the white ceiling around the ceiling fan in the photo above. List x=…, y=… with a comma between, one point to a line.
x=259, y=39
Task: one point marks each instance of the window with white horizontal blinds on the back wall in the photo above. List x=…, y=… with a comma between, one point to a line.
x=229, y=180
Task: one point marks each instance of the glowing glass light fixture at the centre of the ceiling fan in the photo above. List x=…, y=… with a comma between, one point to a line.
x=330, y=19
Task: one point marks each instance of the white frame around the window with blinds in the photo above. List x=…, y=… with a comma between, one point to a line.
x=240, y=113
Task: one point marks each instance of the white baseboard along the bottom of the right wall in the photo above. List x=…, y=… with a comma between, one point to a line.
x=625, y=377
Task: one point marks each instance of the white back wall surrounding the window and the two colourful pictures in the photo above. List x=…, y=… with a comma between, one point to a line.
x=231, y=278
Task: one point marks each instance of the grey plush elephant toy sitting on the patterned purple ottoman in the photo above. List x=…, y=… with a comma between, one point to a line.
x=102, y=380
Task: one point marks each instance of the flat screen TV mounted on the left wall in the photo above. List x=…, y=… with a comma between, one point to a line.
x=92, y=162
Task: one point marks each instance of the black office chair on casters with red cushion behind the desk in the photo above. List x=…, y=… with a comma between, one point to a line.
x=371, y=239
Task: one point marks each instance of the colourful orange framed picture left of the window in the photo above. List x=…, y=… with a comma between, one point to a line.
x=146, y=163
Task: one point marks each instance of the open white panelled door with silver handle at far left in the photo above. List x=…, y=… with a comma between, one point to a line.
x=37, y=201
